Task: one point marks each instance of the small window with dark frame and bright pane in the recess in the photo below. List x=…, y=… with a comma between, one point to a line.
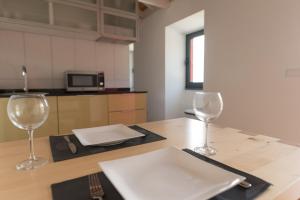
x=195, y=60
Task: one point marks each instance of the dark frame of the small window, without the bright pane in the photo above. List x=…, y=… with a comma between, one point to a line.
x=188, y=84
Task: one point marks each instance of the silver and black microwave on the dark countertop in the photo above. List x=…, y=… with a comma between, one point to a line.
x=84, y=81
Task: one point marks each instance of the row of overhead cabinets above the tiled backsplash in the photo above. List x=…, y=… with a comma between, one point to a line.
x=86, y=19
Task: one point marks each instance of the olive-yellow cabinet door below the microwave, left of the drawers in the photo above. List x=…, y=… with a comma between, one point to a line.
x=82, y=111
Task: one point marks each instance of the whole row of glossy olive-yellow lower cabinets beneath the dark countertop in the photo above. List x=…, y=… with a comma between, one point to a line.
x=81, y=111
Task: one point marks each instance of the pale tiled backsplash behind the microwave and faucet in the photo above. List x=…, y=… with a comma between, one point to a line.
x=47, y=57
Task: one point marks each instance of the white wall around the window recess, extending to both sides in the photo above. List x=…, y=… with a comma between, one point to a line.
x=249, y=47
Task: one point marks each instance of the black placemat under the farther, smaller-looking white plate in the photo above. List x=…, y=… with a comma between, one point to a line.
x=60, y=150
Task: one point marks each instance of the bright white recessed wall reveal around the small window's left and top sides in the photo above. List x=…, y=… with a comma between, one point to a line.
x=177, y=98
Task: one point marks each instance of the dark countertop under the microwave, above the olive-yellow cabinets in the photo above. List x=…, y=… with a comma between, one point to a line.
x=63, y=92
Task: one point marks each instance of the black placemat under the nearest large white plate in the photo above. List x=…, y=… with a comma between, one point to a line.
x=77, y=189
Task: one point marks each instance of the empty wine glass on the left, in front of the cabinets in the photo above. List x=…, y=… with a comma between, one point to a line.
x=28, y=111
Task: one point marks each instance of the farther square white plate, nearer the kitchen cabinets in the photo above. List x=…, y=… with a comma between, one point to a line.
x=106, y=135
